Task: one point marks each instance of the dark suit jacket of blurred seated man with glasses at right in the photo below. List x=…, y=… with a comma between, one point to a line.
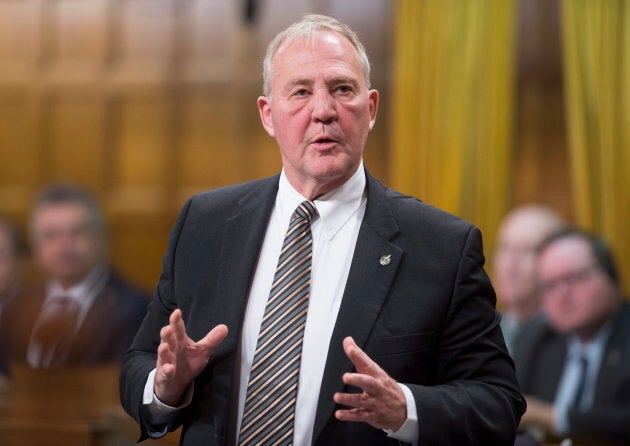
x=540, y=365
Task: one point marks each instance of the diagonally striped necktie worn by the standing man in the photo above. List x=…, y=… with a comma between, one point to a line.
x=272, y=389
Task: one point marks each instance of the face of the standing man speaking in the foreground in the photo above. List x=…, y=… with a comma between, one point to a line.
x=319, y=111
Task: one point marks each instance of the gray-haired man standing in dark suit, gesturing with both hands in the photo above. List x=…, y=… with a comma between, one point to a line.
x=402, y=341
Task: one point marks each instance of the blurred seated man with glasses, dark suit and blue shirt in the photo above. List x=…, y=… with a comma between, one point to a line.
x=576, y=369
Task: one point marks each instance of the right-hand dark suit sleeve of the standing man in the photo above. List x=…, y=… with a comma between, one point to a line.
x=476, y=399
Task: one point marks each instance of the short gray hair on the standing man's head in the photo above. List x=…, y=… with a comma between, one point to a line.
x=306, y=29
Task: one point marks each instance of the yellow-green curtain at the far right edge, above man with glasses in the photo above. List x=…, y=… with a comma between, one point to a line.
x=597, y=77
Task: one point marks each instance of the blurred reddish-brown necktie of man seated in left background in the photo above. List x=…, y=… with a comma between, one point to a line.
x=55, y=329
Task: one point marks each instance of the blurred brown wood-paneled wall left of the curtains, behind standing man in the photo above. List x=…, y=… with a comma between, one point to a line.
x=145, y=102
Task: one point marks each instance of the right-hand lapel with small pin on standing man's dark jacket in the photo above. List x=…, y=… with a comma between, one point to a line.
x=369, y=281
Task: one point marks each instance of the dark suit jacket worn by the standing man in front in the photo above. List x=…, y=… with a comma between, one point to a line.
x=427, y=318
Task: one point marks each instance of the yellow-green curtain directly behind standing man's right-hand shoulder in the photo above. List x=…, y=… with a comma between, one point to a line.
x=452, y=105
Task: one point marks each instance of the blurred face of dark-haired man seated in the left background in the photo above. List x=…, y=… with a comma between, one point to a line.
x=67, y=245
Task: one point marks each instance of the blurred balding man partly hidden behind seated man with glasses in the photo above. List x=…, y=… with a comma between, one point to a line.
x=520, y=233
